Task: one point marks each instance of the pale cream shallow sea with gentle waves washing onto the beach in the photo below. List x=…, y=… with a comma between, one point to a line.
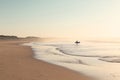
x=97, y=59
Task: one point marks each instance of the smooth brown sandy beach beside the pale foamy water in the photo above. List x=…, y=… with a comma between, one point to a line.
x=17, y=63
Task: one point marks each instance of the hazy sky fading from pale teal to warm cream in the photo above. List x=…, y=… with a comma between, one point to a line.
x=60, y=18
